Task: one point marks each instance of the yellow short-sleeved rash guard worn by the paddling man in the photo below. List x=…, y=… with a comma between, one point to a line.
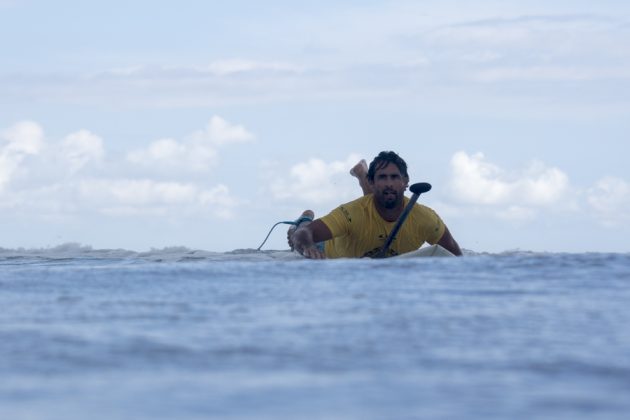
x=359, y=231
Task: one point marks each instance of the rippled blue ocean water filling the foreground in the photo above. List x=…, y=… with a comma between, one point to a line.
x=178, y=333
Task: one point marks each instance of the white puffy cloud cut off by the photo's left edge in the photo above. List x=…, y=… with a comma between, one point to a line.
x=16, y=143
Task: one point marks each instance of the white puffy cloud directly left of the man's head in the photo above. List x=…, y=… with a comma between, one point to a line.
x=314, y=181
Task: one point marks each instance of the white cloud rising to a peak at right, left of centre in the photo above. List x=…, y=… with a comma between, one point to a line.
x=197, y=153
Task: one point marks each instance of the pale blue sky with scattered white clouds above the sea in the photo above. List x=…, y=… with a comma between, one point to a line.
x=199, y=124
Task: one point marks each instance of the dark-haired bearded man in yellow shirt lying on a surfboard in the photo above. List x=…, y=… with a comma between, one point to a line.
x=360, y=228
